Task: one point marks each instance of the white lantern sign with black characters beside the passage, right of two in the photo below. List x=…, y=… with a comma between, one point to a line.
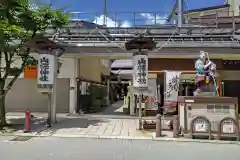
x=140, y=71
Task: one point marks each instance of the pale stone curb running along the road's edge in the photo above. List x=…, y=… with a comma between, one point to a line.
x=124, y=138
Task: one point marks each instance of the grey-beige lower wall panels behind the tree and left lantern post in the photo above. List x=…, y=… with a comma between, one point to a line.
x=24, y=94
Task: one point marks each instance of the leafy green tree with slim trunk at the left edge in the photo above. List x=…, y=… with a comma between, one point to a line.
x=20, y=22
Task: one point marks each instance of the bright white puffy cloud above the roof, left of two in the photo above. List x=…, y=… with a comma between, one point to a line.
x=111, y=23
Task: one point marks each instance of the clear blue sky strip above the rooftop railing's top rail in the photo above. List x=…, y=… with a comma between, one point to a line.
x=130, y=5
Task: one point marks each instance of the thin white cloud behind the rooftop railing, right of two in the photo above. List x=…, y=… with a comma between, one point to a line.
x=151, y=19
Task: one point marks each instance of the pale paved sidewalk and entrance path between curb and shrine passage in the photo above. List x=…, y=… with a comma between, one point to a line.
x=109, y=123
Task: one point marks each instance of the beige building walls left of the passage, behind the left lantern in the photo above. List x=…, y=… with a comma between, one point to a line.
x=24, y=93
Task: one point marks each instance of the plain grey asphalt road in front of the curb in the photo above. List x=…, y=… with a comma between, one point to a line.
x=52, y=148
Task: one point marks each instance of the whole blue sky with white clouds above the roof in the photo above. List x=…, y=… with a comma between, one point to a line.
x=120, y=12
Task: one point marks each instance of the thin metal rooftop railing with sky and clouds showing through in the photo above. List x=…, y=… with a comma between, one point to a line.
x=211, y=18
